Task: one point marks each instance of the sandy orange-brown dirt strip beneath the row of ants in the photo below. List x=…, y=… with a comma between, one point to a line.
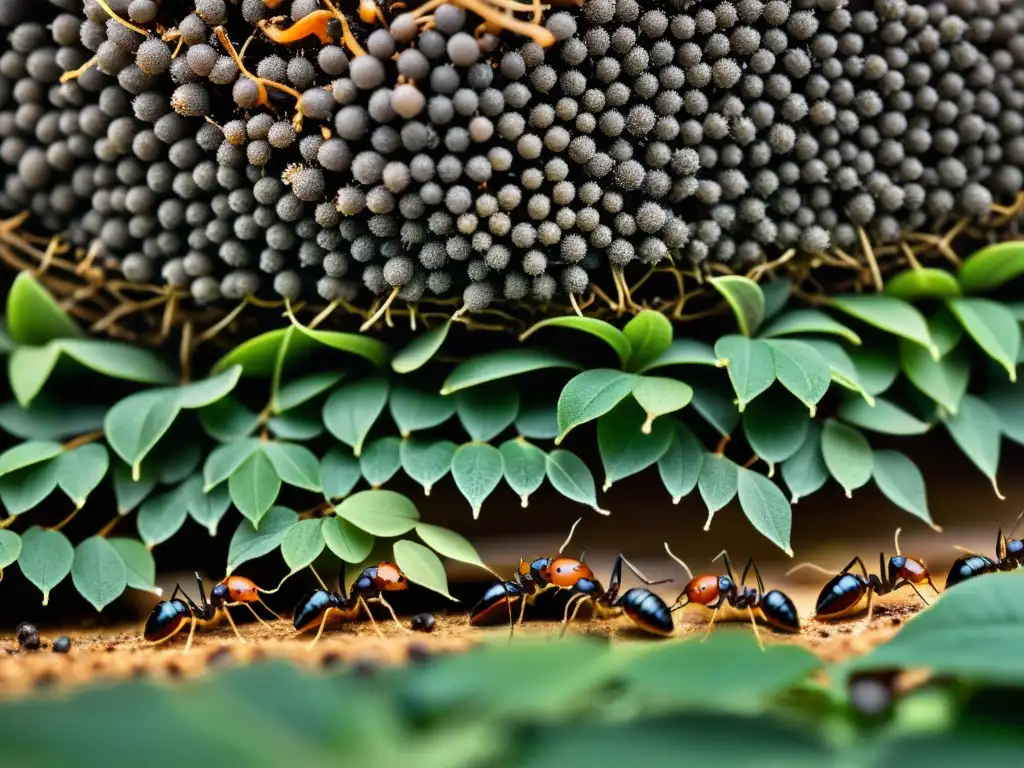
x=122, y=654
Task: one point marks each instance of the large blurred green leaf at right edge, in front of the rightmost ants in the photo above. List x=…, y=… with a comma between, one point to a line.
x=966, y=635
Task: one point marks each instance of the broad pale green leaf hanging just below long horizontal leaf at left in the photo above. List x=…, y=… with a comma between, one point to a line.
x=137, y=423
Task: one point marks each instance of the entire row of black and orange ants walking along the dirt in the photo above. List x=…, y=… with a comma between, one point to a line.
x=846, y=594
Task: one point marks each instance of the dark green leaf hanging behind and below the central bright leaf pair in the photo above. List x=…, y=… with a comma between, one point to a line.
x=626, y=449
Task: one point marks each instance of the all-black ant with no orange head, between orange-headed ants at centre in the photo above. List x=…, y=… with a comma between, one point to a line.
x=647, y=610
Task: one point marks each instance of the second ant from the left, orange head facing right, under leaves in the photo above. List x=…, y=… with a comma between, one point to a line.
x=318, y=607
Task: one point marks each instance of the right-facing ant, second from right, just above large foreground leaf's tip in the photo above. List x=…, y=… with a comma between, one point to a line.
x=845, y=592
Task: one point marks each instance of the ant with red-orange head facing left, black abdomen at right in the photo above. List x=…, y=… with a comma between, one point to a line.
x=774, y=608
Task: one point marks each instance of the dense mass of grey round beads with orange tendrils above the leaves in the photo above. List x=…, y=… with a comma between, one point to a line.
x=490, y=149
